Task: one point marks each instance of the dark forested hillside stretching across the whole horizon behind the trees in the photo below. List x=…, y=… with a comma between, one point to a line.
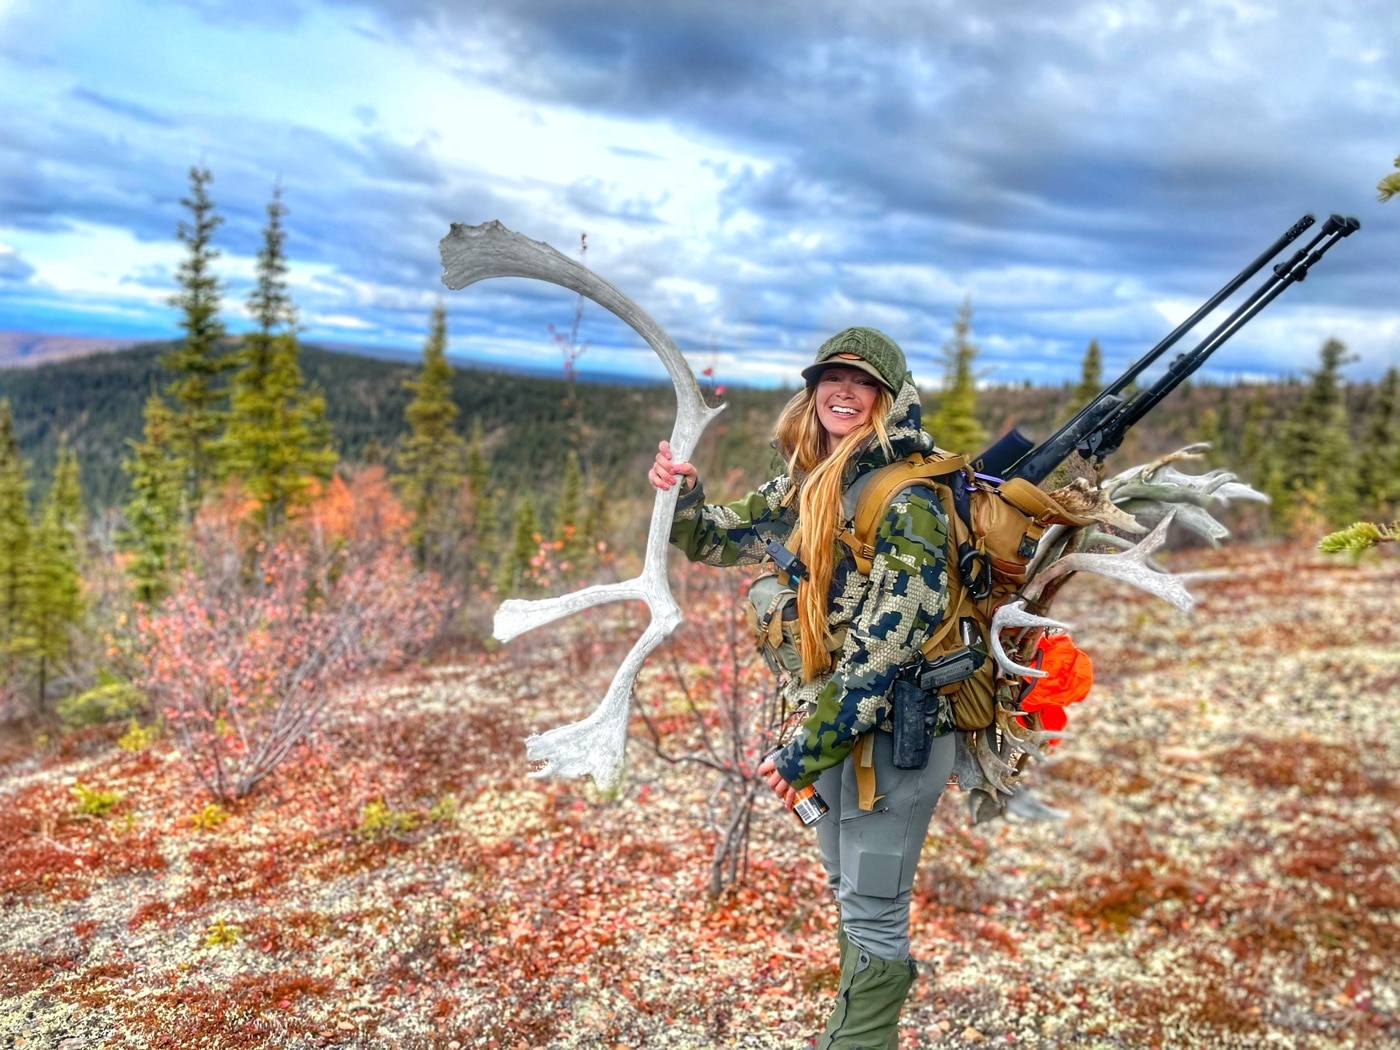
x=530, y=425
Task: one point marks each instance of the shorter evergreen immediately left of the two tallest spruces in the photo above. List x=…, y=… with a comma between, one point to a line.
x=156, y=512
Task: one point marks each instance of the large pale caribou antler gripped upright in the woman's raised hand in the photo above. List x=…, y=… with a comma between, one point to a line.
x=596, y=745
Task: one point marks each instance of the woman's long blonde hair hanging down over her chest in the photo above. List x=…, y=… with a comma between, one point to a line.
x=817, y=482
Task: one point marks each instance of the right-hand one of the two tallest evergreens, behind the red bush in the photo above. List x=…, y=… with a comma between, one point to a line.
x=276, y=440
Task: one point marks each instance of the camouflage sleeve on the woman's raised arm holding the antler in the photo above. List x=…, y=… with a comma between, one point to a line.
x=733, y=534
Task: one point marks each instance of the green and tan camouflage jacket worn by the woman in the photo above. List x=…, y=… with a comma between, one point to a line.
x=888, y=615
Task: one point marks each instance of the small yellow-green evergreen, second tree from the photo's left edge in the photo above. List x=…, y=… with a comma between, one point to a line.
x=57, y=608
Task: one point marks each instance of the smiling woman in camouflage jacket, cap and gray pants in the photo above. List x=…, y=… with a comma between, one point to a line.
x=859, y=412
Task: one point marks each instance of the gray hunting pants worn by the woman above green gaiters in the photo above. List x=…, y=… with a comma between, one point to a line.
x=870, y=859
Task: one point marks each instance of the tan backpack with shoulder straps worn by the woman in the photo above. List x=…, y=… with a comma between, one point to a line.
x=993, y=531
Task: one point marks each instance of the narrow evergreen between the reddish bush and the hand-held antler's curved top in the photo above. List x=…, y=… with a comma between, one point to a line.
x=433, y=453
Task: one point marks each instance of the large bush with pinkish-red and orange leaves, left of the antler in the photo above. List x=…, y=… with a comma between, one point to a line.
x=258, y=633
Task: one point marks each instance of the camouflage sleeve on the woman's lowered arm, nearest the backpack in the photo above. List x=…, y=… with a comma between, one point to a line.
x=902, y=607
